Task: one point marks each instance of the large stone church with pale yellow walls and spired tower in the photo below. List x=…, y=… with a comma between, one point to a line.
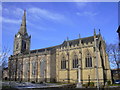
x=59, y=63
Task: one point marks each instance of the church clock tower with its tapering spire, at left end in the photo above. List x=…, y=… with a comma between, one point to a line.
x=22, y=39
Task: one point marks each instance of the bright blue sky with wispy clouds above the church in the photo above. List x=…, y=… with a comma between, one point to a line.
x=50, y=23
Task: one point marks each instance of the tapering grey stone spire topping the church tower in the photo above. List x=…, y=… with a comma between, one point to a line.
x=23, y=29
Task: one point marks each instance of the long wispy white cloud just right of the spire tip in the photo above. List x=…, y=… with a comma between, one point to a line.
x=42, y=13
